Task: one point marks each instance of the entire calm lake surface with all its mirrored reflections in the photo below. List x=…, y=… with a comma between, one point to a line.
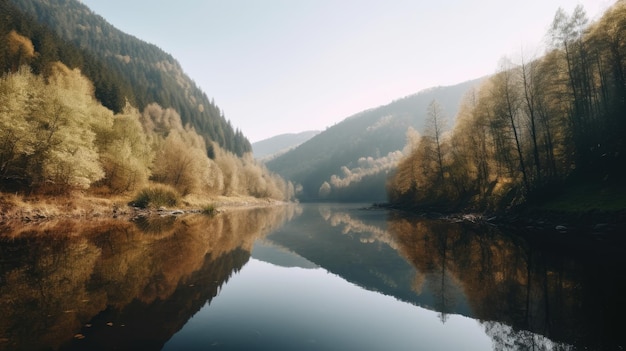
x=305, y=277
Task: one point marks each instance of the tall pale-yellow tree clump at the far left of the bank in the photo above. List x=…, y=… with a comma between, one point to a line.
x=49, y=141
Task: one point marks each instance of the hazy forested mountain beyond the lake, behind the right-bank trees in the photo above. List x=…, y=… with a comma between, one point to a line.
x=354, y=156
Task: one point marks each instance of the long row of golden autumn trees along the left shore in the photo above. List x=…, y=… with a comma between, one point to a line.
x=57, y=137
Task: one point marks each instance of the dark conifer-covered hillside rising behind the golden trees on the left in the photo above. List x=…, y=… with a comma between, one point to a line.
x=136, y=71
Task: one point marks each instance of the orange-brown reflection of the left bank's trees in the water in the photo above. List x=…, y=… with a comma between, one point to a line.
x=59, y=276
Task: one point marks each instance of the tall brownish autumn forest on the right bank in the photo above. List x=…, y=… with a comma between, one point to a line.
x=537, y=128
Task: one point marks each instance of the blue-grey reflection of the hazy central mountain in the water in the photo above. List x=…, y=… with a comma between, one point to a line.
x=357, y=247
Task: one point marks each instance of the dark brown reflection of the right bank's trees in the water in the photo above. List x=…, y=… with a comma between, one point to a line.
x=505, y=279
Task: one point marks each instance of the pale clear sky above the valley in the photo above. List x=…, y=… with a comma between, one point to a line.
x=286, y=66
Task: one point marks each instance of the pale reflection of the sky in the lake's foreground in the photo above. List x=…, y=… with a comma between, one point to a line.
x=267, y=307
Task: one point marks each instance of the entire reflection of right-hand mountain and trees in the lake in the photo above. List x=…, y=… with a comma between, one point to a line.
x=524, y=294
